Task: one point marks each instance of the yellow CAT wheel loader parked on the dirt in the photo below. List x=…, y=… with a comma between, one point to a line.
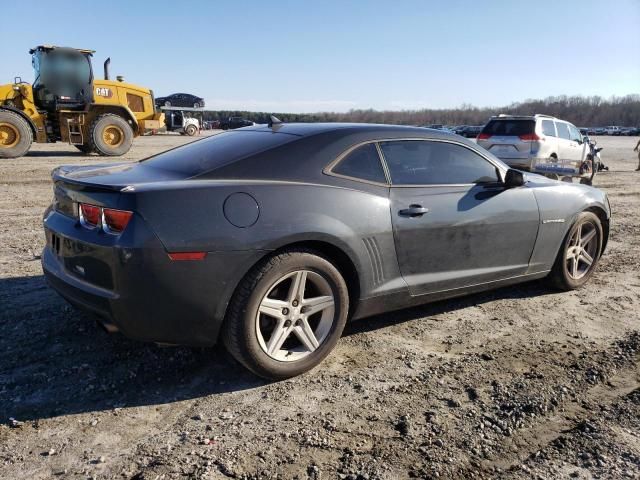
x=66, y=103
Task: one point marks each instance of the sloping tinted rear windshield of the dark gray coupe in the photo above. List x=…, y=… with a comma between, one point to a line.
x=214, y=152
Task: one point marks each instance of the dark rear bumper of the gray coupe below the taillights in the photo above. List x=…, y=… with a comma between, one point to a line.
x=133, y=285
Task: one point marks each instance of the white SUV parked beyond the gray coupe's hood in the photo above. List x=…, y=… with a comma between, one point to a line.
x=537, y=143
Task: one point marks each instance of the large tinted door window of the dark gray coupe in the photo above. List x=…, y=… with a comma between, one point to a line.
x=416, y=162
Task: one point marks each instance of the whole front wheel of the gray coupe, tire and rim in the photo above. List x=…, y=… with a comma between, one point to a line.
x=579, y=254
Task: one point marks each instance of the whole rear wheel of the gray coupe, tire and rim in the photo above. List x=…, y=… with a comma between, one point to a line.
x=287, y=314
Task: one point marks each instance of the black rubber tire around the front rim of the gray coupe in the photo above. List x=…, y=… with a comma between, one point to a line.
x=560, y=276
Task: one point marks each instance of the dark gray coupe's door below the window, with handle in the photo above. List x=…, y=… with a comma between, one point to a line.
x=456, y=236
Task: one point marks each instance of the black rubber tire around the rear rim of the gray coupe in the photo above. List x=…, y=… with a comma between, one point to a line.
x=239, y=333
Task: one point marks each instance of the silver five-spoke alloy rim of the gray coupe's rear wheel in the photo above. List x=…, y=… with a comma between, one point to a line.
x=295, y=316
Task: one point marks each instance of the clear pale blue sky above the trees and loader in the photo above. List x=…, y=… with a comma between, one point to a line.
x=310, y=56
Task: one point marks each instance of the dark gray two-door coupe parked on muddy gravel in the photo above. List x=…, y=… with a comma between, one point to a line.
x=271, y=237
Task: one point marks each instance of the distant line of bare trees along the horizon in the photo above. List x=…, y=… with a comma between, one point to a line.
x=580, y=110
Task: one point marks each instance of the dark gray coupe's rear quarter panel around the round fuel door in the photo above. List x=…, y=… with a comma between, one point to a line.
x=355, y=220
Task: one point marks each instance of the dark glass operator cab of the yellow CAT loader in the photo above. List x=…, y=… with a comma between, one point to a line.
x=63, y=78
